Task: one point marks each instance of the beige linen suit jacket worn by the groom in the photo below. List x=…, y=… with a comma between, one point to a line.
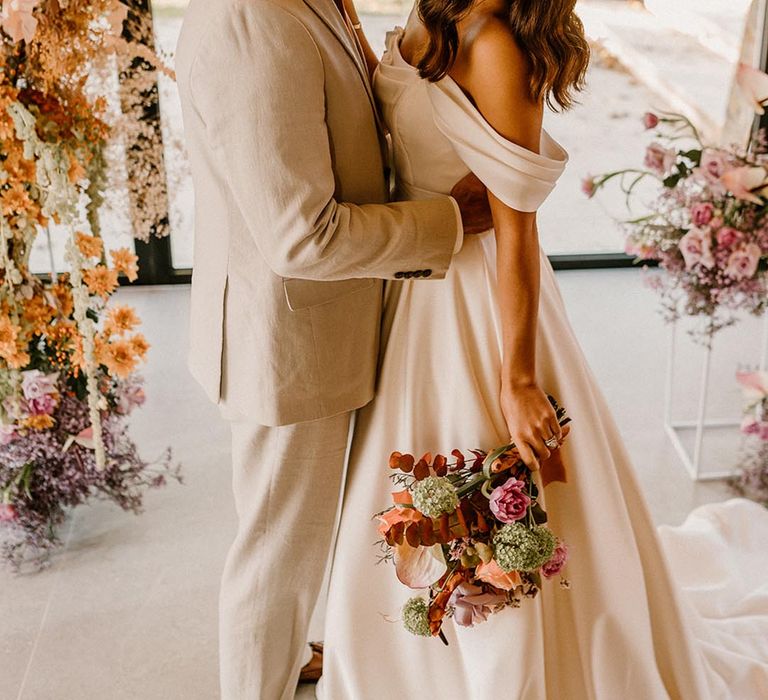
x=293, y=230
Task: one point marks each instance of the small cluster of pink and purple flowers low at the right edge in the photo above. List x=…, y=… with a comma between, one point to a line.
x=752, y=481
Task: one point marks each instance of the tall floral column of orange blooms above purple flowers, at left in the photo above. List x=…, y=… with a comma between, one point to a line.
x=68, y=358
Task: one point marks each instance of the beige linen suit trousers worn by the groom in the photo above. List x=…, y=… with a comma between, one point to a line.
x=287, y=482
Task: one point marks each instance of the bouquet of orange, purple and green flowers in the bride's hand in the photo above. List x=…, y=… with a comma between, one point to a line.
x=472, y=532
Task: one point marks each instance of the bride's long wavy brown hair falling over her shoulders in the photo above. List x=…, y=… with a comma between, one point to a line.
x=548, y=31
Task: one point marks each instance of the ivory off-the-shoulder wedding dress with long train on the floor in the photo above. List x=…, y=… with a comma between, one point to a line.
x=632, y=626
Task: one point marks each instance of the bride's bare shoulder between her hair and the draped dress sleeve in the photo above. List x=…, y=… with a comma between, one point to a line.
x=492, y=68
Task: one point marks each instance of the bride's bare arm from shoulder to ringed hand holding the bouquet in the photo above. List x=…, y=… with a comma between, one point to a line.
x=494, y=72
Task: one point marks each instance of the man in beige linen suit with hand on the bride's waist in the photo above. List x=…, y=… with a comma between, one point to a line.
x=294, y=235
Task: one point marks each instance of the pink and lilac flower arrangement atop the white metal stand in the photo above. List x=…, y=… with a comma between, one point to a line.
x=708, y=225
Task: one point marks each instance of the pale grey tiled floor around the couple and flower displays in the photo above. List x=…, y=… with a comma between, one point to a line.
x=128, y=608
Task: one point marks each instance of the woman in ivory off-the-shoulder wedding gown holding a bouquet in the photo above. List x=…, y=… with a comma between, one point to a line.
x=468, y=363
